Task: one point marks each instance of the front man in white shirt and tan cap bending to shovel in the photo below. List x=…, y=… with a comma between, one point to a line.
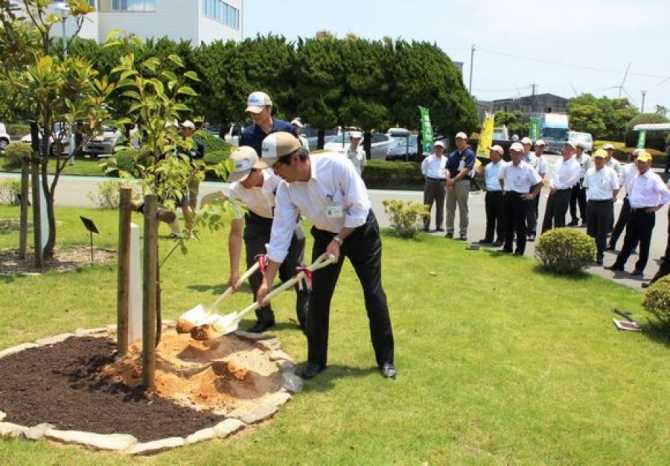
x=332, y=197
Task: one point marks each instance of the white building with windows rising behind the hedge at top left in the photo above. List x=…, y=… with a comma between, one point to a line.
x=197, y=21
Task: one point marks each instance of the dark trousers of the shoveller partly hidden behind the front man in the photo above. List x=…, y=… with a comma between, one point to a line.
x=256, y=235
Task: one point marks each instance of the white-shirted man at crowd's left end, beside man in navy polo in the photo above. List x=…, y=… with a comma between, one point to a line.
x=435, y=187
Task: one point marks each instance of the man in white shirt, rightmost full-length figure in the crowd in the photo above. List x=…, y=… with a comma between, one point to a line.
x=647, y=194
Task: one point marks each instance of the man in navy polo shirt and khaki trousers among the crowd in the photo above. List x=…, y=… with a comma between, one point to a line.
x=460, y=168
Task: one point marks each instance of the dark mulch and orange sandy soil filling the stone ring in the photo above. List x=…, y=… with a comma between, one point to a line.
x=78, y=385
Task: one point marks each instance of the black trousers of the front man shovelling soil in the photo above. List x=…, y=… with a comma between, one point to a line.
x=363, y=248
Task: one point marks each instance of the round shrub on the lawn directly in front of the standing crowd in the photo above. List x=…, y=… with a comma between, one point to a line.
x=565, y=250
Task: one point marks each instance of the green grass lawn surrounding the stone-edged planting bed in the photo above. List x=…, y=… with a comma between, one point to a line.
x=499, y=362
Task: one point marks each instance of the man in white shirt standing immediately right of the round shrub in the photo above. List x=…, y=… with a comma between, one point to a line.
x=602, y=186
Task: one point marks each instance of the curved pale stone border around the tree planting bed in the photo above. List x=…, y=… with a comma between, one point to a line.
x=128, y=444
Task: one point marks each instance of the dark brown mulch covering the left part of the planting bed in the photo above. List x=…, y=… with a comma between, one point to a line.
x=59, y=385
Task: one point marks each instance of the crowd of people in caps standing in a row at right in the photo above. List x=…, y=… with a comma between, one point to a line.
x=585, y=185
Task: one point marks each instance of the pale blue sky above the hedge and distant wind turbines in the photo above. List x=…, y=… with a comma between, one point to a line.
x=606, y=48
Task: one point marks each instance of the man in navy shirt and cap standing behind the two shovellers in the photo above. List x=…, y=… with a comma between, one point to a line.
x=259, y=110
